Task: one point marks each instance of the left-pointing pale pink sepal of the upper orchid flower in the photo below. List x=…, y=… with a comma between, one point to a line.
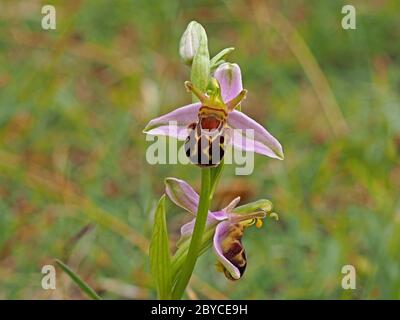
x=174, y=123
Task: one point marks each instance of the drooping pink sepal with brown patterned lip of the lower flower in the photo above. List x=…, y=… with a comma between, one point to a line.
x=229, y=250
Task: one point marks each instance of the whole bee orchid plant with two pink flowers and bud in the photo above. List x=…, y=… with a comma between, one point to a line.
x=208, y=125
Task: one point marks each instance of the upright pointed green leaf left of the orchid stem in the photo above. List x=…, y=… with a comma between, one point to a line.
x=160, y=260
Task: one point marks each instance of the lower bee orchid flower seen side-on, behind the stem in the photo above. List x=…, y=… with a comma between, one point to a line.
x=229, y=224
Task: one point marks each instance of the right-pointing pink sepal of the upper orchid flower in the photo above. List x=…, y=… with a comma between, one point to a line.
x=252, y=136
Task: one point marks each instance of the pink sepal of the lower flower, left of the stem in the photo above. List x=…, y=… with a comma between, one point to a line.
x=182, y=194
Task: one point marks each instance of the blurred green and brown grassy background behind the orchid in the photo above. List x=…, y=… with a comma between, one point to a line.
x=75, y=185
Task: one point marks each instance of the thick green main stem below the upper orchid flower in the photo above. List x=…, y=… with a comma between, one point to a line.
x=197, y=236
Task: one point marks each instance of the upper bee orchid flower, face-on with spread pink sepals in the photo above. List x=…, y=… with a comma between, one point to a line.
x=217, y=112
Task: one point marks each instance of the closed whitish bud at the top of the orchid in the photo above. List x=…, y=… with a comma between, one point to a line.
x=190, y=41
